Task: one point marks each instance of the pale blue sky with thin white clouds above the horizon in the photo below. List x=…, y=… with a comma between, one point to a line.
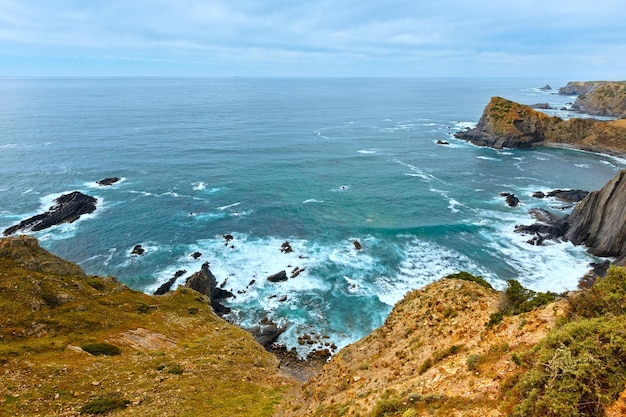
x=569, y=39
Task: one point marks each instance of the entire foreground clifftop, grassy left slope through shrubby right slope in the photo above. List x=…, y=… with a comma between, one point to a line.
x=73, y=344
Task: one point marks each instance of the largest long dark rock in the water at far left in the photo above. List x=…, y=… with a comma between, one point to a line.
x=67, y=209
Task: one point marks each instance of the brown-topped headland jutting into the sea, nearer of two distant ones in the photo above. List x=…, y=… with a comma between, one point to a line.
x=506, y=124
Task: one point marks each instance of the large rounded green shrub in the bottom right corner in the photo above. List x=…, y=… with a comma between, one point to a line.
x=579, y=369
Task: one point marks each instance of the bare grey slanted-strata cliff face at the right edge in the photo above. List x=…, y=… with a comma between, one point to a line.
x=599, y=220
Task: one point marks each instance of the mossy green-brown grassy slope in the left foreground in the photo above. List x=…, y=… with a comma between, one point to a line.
x=73, y=344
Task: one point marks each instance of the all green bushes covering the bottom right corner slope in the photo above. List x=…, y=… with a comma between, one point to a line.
x=579, y=368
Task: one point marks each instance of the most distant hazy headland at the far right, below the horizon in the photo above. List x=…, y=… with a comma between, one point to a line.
x=603, y=98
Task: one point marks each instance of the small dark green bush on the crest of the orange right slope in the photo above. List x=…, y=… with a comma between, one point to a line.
x=516, y=300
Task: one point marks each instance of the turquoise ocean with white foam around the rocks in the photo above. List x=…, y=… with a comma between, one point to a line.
x=319, y=163
